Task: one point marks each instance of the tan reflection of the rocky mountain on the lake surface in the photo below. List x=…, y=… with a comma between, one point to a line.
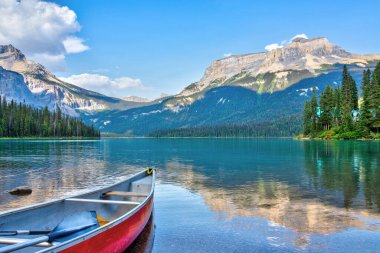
x=281, y=203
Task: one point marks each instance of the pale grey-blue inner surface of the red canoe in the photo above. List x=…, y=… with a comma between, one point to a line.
x=47, y=215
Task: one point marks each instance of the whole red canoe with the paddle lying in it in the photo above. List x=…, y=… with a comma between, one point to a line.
x=121, y=212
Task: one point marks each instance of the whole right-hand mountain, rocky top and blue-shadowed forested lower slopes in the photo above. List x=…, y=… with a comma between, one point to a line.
x=268, y=87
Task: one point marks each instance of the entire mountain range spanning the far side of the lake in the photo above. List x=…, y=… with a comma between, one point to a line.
x=236, y=90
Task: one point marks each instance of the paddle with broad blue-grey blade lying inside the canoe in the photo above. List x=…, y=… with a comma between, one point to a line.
x=71, y=226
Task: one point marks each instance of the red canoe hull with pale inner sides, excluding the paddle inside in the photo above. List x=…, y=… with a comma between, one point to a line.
x=126, y=215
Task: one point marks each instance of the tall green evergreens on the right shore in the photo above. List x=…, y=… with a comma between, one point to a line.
x=340, y=114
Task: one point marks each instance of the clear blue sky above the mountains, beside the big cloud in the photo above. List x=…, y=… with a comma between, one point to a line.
x=163, y=46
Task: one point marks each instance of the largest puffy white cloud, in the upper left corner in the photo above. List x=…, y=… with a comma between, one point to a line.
x=39, y=28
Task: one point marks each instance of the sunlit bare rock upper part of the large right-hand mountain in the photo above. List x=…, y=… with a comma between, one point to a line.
x=278, y=68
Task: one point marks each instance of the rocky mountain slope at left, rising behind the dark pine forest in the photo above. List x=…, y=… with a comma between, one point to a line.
x=47, y=89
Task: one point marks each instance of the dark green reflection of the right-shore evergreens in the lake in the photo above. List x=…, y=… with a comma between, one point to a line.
x=348, y=169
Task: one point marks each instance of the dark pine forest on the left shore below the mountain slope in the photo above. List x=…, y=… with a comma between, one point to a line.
x=21, y=120
